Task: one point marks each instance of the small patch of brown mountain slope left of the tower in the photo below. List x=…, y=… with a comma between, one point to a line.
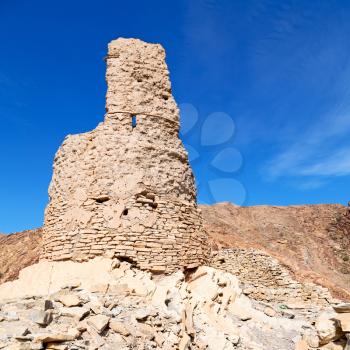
x=17, y=251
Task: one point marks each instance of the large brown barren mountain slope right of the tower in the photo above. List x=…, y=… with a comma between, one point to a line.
x=313, y=241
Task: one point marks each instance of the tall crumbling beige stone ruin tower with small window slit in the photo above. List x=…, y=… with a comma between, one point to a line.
x=126, y=188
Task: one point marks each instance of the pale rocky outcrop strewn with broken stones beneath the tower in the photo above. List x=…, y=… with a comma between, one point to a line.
x=108, y=304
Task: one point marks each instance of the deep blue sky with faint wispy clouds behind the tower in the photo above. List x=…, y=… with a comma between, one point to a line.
x=263, y=87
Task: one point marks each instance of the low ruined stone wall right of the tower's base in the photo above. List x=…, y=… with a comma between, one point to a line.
x=266, y=280
